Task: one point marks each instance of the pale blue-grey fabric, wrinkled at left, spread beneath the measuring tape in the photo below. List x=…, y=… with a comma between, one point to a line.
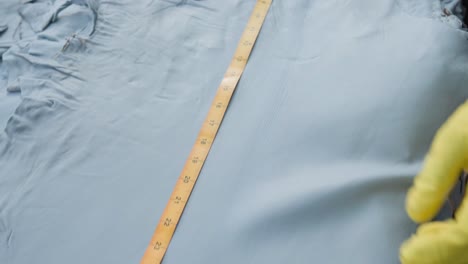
x=329, y=124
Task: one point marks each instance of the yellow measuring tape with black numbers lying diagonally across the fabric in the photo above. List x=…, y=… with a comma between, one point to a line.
x=167, y=224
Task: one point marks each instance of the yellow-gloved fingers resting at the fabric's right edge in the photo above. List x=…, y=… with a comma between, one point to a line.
x=440, y=242
